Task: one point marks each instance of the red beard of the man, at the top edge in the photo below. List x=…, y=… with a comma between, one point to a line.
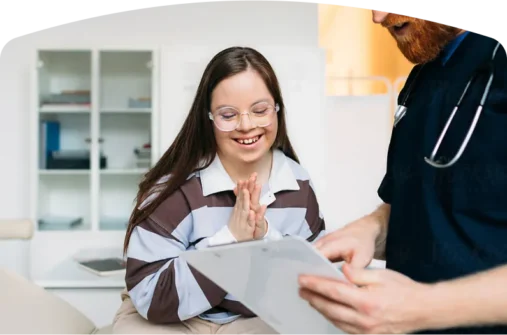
x=422, y=39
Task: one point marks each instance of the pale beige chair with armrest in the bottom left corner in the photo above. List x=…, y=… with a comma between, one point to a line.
x=27, y=309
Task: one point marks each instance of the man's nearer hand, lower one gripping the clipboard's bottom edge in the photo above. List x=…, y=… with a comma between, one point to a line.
x=375, y=302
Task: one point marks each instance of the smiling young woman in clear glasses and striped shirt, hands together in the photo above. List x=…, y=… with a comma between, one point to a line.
x=231, y=175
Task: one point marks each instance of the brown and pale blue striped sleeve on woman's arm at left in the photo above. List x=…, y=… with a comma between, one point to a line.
x=163, y=287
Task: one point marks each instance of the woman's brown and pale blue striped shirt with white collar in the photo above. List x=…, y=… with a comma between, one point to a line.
x=163, y=287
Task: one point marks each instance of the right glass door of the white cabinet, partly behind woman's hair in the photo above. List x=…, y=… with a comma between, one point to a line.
x=125, y=132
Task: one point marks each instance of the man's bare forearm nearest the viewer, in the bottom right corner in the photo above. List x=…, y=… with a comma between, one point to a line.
x=475, y=300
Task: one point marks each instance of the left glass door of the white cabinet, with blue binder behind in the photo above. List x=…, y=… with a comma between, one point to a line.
x=64, y=119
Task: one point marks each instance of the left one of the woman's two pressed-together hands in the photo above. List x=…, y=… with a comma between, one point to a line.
x=242, y=221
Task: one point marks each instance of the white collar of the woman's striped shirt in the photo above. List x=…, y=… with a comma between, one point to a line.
x=214, y=178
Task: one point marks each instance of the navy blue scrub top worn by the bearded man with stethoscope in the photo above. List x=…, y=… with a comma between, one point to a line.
x=447, y=223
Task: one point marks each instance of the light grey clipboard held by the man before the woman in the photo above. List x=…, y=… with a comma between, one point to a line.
x=263, y=276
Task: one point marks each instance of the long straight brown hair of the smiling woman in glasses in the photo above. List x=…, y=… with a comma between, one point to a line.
x=195, y=148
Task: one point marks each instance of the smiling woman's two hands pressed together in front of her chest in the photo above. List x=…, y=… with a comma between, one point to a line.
x=248, y=221
